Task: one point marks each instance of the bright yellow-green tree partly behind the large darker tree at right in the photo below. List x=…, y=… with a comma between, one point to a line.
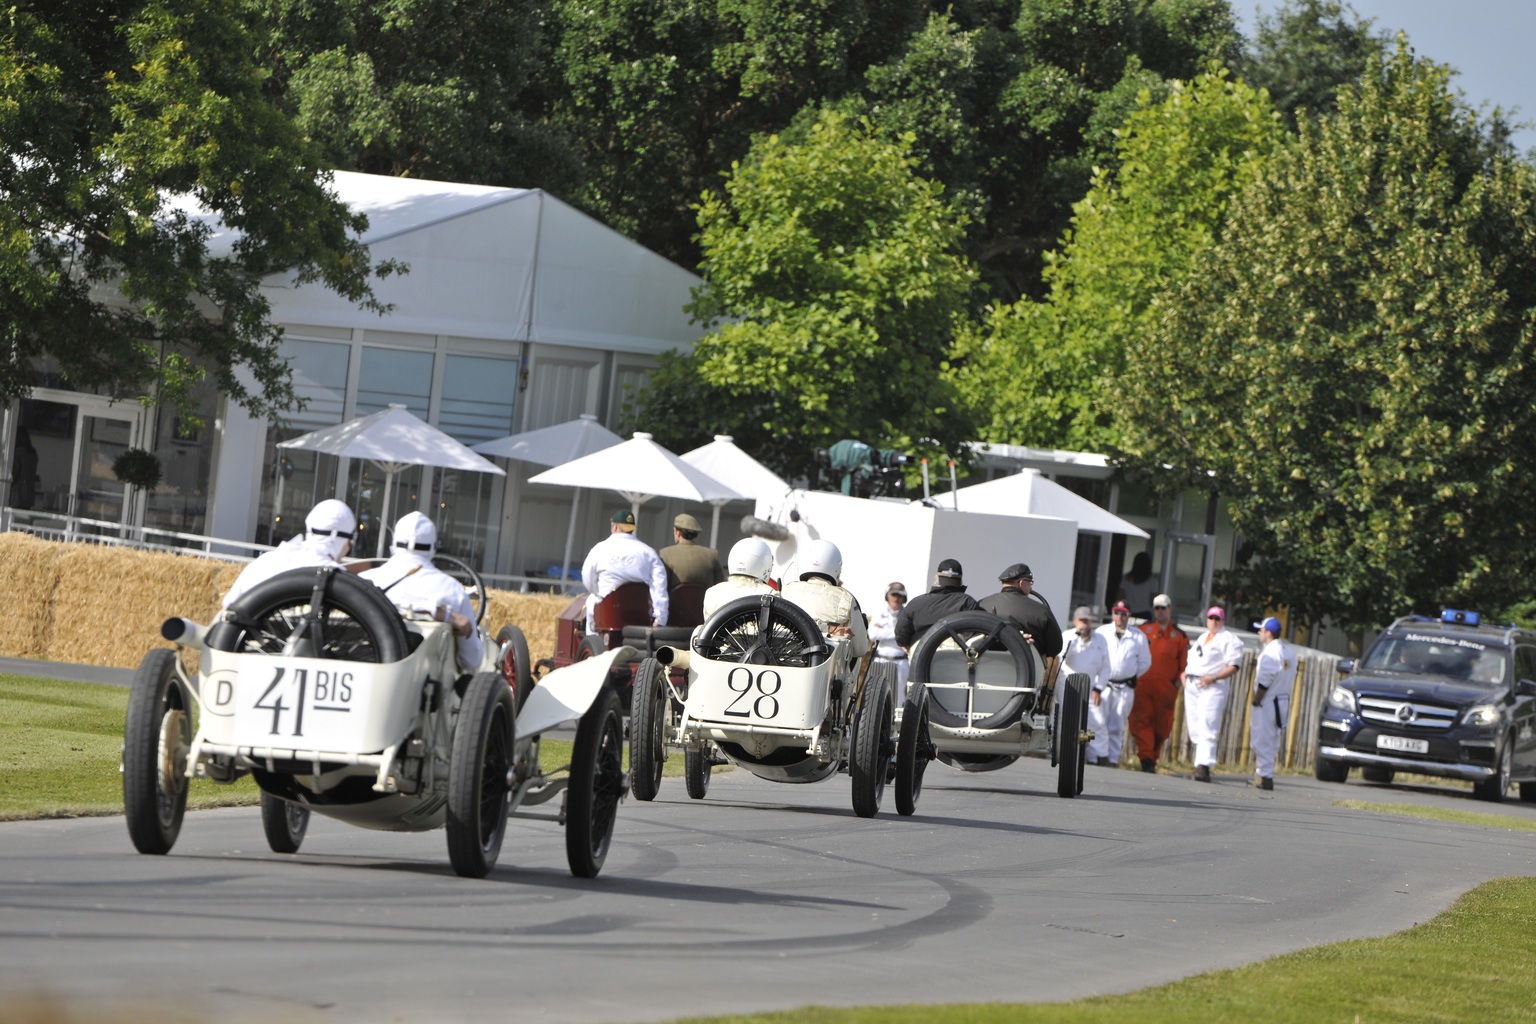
x=1048, y=372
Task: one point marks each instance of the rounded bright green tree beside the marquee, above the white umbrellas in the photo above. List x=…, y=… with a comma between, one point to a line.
x=835, y=285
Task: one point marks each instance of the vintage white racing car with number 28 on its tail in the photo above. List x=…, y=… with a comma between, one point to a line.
x=776, y=699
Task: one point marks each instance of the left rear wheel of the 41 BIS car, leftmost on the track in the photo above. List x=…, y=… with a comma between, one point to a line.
x=157, y=739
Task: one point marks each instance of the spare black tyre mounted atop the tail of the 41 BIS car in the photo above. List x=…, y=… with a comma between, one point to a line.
x=360, y=624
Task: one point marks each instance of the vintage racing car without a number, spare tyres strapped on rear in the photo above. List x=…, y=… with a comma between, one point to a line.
x=985, y=698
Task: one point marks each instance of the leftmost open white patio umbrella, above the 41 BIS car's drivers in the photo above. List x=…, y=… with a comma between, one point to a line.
x=392, y=440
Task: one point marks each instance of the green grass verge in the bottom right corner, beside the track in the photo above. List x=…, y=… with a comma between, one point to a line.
x=1468, y=966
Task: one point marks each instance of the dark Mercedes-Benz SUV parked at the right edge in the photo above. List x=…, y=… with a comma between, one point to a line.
x=1451, y=698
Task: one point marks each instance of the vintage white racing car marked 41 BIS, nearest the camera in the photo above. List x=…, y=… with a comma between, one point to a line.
x=337, y=704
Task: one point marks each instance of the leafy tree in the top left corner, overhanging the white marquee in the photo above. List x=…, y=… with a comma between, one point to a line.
x=114, y=119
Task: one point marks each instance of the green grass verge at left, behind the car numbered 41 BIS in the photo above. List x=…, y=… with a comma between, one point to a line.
x=62, y=744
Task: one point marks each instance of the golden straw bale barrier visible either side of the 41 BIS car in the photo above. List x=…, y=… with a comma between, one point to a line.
x=99, y=606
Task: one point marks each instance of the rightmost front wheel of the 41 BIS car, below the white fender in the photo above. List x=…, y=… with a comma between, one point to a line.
x=597, y=785
